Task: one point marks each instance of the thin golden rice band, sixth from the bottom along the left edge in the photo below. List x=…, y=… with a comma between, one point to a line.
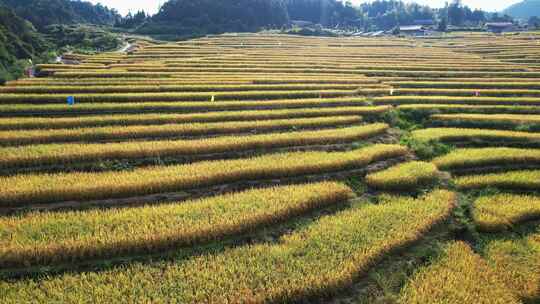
x=26, y=123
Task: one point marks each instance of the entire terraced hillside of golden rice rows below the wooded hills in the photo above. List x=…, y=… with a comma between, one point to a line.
x=268, y=168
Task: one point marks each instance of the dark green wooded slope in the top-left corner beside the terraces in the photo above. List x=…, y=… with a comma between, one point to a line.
x=35, y=29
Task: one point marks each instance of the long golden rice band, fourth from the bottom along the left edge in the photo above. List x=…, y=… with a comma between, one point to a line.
x=51, y=154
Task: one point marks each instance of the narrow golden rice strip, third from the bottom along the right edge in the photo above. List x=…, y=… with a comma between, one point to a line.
x=513, y=180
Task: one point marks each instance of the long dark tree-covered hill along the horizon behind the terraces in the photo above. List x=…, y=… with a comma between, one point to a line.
x=184, y=18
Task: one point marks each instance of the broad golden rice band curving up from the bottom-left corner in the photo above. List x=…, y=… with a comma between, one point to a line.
x=318, y=259
